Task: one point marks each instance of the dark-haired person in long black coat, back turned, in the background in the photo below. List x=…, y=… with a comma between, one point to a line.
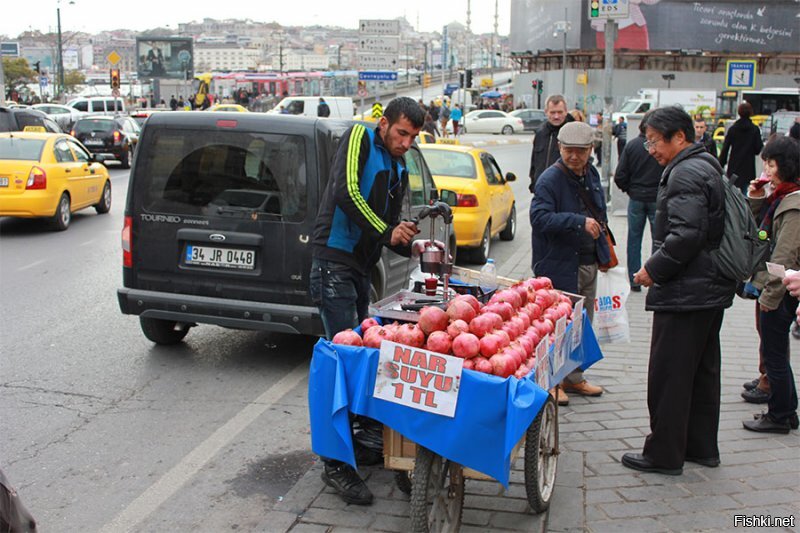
x=744, y=143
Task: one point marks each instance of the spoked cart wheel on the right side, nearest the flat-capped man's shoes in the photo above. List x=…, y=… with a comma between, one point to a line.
x=541, y=457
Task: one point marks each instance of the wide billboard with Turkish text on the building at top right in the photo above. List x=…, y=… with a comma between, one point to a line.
x=714, y=26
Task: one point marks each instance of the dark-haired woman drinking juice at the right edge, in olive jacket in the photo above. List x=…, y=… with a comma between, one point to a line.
x=777, y=204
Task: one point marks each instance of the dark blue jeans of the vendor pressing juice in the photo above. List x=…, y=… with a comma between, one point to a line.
x=342, y=295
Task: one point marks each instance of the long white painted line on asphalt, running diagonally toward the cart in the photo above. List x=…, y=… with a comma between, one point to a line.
x=192, y=462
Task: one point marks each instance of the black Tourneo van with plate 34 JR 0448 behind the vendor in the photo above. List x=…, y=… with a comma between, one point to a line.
x=218, y=221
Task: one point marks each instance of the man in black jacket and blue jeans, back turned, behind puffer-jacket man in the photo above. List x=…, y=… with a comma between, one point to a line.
x=637, y=175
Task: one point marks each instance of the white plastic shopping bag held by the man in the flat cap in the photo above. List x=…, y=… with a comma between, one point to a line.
x=610, y=316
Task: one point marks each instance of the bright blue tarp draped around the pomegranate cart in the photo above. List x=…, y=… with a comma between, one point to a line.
x=492, y=413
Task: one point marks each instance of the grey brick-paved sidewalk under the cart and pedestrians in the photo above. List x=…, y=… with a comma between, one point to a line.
x=759, y=474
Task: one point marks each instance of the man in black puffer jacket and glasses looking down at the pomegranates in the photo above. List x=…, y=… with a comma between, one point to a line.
x=688, y=298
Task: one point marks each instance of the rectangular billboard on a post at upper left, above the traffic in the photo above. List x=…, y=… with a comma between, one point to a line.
x=164, y=57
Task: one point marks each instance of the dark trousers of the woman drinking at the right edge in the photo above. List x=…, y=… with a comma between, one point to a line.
x=775, y=327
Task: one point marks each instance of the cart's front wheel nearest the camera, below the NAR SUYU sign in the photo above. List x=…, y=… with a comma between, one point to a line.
x=437, y=495
